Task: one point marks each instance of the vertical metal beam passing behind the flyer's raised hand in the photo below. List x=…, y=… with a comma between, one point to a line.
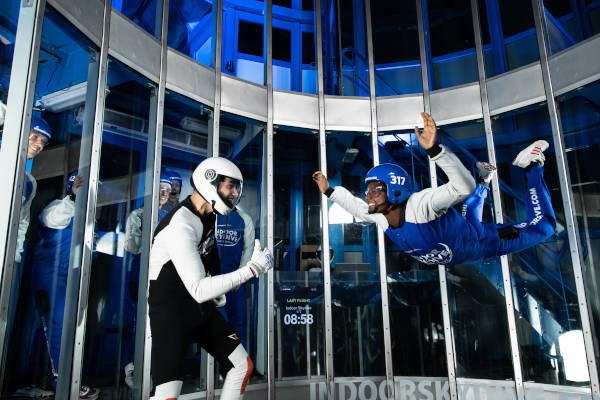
x=425, y=56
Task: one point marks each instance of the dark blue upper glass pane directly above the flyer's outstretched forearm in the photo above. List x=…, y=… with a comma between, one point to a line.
x=345, y=63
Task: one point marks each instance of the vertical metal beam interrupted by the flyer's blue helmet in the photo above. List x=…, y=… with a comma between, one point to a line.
x=385, y=312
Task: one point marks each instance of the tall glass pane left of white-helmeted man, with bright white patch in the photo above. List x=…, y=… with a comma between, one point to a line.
x=113, y=294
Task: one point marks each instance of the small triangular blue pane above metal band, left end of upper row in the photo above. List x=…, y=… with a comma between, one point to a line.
x=145, y=13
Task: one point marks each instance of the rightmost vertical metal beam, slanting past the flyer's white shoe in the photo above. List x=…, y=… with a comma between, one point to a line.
x=567, y=195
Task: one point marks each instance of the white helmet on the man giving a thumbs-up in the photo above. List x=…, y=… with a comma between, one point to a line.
x=206, y=179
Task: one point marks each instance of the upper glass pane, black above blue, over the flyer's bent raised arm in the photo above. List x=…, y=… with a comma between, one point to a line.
x=452, y=43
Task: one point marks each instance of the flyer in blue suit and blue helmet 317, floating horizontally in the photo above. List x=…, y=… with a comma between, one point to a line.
x=424, y=224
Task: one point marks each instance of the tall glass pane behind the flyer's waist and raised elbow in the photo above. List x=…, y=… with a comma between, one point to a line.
x=476, y=290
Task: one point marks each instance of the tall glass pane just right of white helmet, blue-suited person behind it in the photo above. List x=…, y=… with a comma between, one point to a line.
x=241, y=141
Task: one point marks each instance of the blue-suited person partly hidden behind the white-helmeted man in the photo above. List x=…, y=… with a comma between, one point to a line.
x=235, y=240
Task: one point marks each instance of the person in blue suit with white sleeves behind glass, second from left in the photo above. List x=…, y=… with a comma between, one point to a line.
x=50, y=268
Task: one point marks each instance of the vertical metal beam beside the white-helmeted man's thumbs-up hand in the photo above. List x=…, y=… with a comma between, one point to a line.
x=270, y=200
